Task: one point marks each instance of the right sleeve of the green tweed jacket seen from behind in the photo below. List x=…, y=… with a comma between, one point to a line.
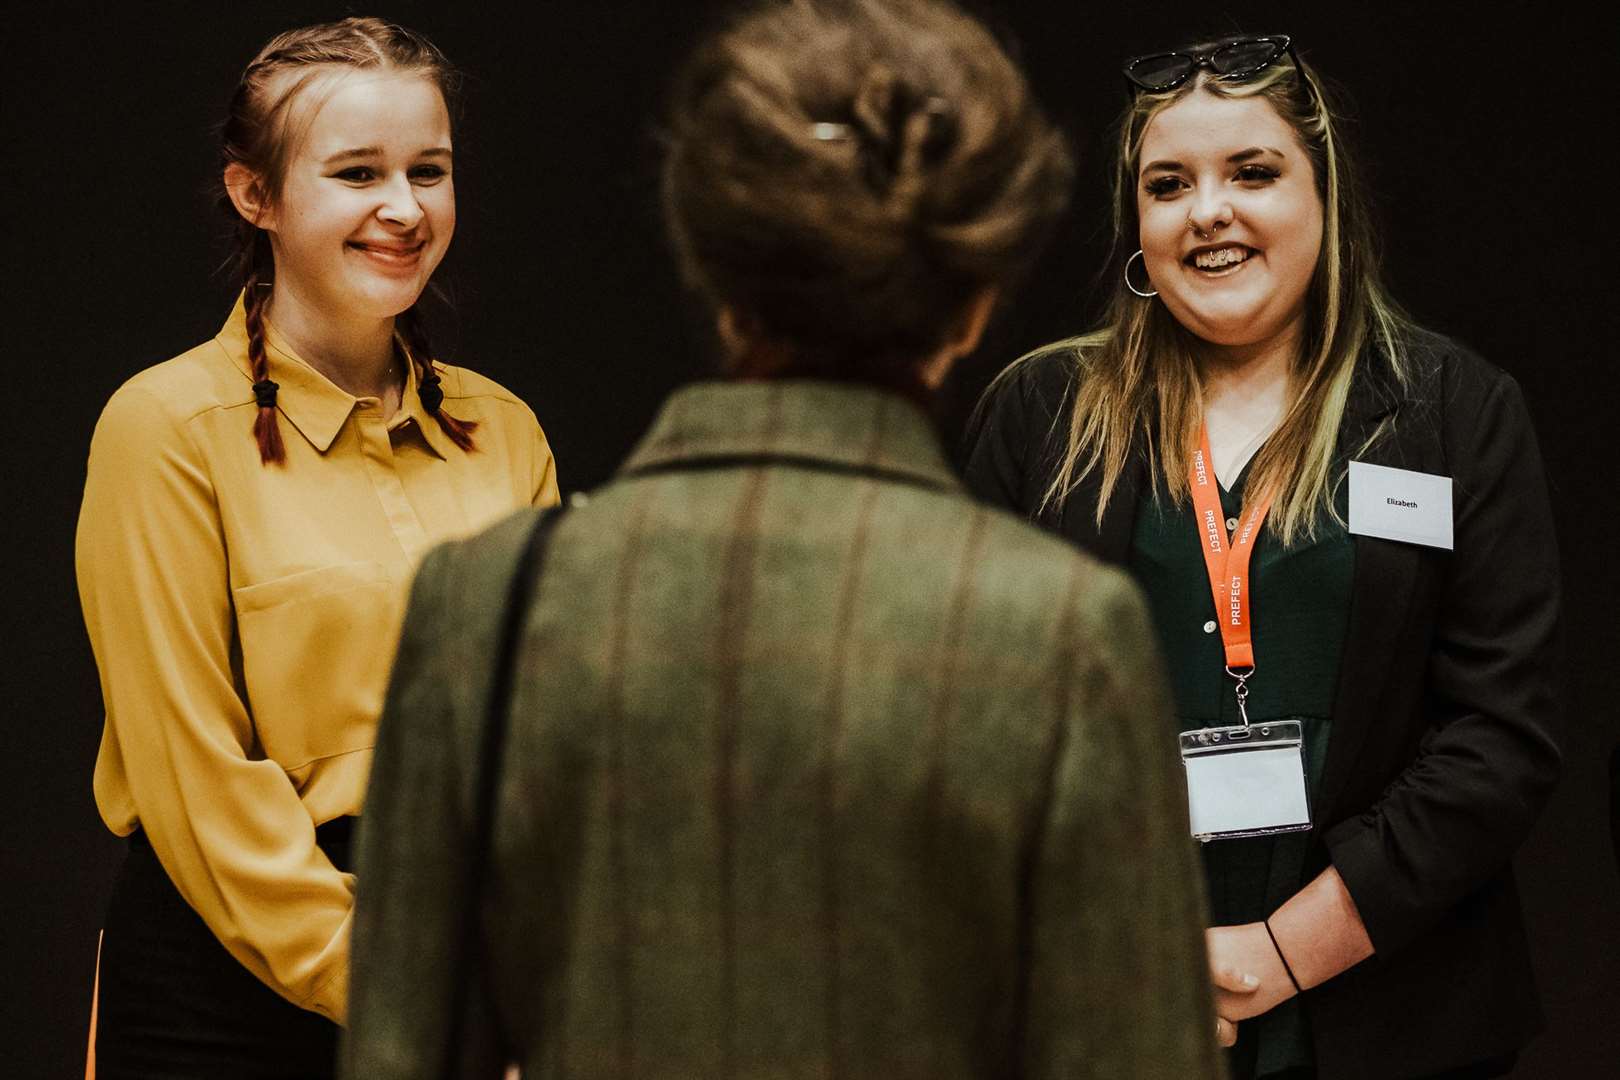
x=1119, y=980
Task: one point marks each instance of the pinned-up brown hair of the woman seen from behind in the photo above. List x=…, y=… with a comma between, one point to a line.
x=846, y=176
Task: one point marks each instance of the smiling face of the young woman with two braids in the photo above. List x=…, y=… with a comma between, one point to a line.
x=367, y=206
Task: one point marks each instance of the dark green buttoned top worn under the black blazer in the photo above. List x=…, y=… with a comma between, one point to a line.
x=1302, y=606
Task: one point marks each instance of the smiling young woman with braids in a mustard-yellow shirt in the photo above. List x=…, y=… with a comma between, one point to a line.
x=252, y=517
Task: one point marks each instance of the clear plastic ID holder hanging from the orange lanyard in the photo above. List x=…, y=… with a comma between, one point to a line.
x=1247, y=781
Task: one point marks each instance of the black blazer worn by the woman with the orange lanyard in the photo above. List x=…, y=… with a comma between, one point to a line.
x=1446, y=721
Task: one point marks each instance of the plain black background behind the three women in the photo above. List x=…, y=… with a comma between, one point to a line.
x=1490, y=158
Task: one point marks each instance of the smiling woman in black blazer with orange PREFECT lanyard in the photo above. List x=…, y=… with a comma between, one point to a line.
x=1391, y=642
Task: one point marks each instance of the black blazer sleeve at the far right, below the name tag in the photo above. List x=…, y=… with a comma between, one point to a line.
x=1490, y=757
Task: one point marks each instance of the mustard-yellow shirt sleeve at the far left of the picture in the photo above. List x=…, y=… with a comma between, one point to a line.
x=226, y=823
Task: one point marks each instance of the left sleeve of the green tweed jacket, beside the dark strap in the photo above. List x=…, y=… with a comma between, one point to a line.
x=414, y=848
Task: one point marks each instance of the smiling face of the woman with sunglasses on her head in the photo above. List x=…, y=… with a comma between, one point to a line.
x=1230, y=218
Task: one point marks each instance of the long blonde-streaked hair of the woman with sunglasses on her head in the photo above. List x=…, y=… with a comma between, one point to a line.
x=1138, y=380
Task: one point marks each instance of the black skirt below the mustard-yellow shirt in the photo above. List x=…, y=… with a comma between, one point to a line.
x=174, y=1003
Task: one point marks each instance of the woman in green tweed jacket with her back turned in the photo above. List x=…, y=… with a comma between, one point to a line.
x=812, y=765
